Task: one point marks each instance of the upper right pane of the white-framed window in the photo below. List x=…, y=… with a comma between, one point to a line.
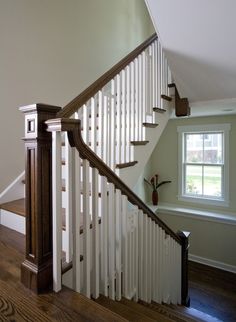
x=213, y=148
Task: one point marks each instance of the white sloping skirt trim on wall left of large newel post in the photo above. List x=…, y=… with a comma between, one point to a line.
x=14, y=191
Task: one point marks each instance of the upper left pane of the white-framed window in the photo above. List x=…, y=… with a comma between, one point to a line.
x=194, y=148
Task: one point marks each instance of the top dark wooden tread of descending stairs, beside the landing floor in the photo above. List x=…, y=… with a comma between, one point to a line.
x=123, y=310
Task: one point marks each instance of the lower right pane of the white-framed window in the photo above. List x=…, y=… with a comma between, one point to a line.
x=212, y=181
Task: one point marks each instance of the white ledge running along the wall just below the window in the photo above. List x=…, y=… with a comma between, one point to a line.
x=199, y=214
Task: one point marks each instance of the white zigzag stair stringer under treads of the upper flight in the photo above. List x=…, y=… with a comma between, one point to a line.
x=142, y=153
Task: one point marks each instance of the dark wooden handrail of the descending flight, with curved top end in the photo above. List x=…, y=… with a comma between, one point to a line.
x=73, y=127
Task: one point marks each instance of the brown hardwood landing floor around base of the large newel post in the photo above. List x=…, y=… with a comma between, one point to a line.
x=19, y=304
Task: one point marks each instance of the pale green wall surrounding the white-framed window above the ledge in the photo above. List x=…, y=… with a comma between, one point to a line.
x=164, y=160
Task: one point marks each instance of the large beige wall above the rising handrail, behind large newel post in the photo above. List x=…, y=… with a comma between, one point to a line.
x=53, y=49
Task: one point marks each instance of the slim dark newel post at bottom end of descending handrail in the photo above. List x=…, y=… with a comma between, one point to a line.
x=184, y=235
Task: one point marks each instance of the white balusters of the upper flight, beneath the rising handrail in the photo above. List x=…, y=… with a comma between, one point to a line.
x=115, y=115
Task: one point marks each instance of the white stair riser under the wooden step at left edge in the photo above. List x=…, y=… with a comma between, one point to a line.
x=12, y=221
